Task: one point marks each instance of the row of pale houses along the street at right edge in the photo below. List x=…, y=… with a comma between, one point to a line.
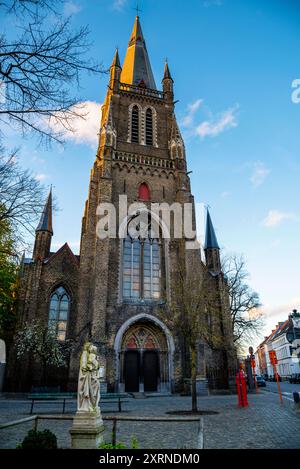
x=285, y=341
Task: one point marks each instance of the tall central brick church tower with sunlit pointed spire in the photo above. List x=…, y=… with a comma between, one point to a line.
x=125, y=282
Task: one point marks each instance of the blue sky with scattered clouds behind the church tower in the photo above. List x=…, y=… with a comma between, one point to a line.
x=233, y=63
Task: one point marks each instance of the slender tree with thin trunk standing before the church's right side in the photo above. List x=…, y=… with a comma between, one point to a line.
x=195, y=312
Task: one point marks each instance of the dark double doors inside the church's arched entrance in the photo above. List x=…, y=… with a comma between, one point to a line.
x=141, y=370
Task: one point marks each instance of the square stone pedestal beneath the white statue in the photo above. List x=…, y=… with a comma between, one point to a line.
x=87, y=430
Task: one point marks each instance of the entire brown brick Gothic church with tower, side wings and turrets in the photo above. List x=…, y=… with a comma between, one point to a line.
x=116, y=291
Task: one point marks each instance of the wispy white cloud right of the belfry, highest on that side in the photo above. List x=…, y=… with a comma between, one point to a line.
x=215, y=126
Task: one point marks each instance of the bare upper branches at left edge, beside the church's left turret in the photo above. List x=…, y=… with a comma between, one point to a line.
x=22, y=197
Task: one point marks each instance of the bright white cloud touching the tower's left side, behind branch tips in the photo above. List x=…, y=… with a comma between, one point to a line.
x=84, y=129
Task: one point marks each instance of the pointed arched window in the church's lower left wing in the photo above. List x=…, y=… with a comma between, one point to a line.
x=58, y=312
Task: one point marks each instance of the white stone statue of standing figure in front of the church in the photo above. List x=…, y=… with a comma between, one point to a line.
x=89, y=380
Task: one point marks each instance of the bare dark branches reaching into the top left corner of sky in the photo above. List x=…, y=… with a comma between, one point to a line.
x=40, y=69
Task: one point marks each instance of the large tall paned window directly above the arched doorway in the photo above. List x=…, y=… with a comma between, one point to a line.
x=141, y=268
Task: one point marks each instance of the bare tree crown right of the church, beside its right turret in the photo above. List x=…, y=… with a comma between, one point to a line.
x=246, y=316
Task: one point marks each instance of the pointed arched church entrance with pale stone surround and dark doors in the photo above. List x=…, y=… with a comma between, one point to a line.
x=144, y=357
